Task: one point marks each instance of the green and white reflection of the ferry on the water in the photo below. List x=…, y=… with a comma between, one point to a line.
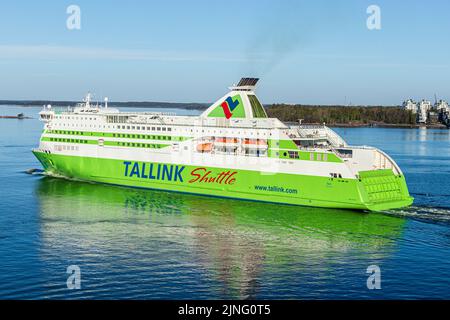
x=234, y=241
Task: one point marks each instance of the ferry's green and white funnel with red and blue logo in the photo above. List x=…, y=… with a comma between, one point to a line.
x=240, y=102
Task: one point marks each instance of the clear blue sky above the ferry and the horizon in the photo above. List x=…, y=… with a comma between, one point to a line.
x=190, y=51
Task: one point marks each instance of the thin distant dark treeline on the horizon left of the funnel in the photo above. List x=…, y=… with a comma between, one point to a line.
x=137, y=104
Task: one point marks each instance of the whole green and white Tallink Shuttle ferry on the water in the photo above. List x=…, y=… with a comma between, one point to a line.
x=232, y=150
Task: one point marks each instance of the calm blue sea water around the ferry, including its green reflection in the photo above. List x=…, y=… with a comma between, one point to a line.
x=132, y=243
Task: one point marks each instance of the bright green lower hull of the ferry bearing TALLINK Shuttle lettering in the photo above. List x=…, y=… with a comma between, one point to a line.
x=375, y=190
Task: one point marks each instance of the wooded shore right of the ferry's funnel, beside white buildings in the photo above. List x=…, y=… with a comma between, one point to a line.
x=341, y=114
